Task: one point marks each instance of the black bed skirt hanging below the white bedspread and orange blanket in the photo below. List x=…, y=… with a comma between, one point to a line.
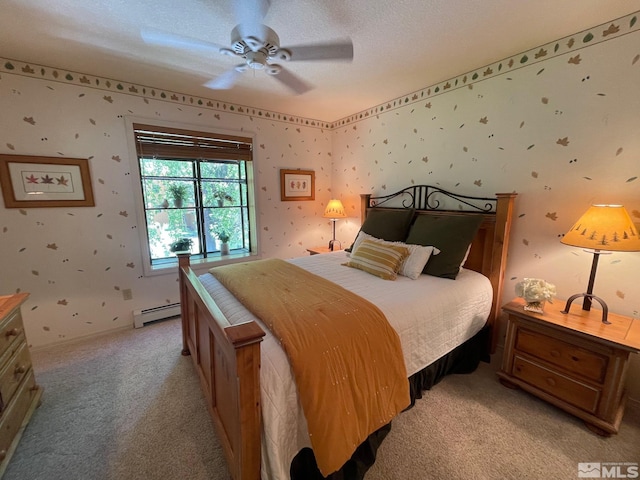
x=463, y=359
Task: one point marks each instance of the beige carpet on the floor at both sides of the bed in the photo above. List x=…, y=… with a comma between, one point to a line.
x=127, y=405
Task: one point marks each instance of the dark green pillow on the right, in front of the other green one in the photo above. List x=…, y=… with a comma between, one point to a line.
x=451, y=234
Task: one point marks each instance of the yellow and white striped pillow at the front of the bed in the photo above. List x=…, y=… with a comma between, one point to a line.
x=378, y=259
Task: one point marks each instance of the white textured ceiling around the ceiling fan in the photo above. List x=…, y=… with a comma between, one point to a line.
x=400, y=46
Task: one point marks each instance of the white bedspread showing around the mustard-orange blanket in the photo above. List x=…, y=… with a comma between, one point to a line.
x=431, y=315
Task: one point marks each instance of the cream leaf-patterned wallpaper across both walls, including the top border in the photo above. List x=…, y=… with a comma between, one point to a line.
x=559, y=124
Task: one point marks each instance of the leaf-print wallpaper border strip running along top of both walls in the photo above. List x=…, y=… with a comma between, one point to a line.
x=571, y=43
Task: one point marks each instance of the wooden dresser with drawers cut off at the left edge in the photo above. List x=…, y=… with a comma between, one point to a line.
x=19, y=394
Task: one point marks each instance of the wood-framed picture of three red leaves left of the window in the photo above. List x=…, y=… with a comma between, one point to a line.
x=33, y=182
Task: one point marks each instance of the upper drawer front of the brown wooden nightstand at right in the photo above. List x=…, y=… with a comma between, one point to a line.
x=565, y=355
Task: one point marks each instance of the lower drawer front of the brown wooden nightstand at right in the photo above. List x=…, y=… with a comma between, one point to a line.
x=569, y=390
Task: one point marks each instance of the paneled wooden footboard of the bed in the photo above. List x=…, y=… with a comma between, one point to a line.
x=227, y=359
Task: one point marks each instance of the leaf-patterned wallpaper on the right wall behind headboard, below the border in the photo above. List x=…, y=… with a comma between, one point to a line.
x=563, y=133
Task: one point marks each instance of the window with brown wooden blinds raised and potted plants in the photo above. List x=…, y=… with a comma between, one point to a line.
x=196, y=189
